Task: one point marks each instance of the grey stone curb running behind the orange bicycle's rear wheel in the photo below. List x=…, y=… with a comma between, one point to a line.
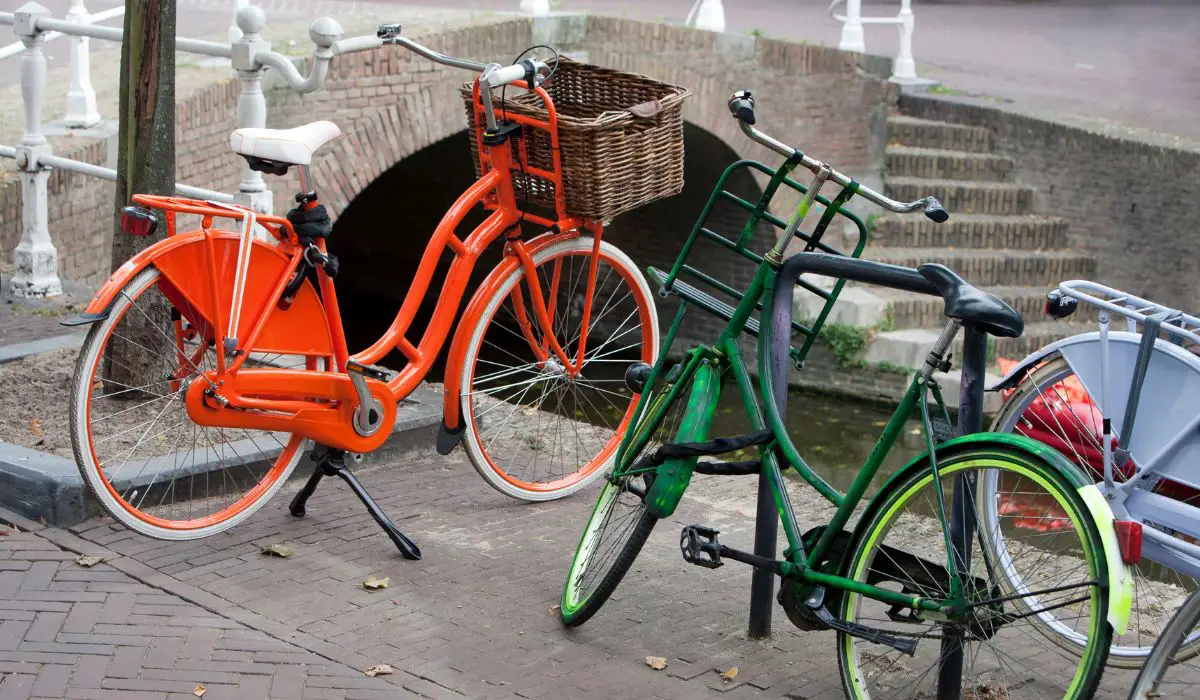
x=49, y=489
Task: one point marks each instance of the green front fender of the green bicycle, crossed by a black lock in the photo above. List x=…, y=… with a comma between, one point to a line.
x=673, y=477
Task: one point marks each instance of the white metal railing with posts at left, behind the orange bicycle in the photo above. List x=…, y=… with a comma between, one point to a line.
x=37, y=259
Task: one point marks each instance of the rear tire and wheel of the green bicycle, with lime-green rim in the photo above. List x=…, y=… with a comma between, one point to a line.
x=994, y=637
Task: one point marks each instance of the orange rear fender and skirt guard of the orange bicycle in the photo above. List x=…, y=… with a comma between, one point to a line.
x=182, y=260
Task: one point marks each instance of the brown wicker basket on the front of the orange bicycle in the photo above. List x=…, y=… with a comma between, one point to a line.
x=621, y=137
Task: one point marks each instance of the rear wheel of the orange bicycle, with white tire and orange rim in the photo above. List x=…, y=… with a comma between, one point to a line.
x=135, y=439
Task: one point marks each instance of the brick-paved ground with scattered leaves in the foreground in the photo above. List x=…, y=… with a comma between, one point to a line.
x=473, y=619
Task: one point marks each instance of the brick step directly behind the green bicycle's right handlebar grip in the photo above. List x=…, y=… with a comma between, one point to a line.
x=977, y=231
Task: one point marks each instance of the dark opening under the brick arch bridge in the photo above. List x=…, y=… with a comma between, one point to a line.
x=382, y=235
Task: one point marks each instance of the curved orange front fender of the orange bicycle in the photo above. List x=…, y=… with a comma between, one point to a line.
x=452, y=420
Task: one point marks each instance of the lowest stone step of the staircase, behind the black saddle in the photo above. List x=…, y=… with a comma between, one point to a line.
x=909, y=348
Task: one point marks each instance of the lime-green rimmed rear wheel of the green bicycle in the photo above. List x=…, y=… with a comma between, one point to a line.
x=1015, y=661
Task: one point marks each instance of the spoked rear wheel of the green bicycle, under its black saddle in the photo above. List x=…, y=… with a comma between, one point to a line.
x=987, y=643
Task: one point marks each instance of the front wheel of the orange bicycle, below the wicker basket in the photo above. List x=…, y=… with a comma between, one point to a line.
x=537, y=428
